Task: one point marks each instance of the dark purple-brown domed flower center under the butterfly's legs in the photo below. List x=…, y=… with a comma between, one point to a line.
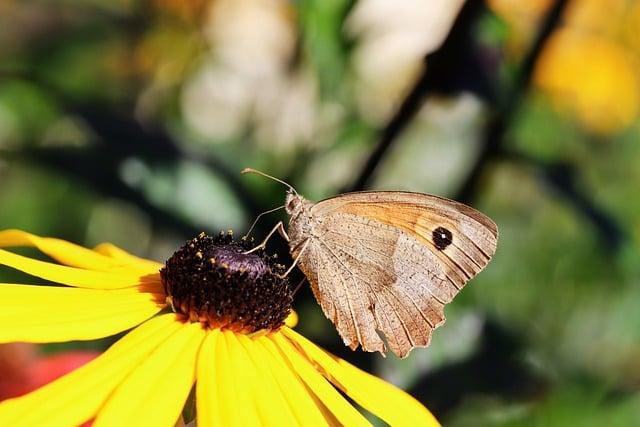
x=210, y=280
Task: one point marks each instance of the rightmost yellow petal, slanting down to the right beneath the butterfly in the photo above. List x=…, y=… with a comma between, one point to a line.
x=391, y=404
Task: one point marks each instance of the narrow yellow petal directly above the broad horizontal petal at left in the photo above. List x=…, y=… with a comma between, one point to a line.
x=72, y=276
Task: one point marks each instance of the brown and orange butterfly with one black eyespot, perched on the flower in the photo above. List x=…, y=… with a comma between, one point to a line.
x=386, y=261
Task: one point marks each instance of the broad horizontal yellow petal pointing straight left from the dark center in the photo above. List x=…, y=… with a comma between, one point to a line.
x=54, y=314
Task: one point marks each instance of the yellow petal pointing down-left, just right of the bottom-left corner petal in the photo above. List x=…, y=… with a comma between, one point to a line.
x=156, y=391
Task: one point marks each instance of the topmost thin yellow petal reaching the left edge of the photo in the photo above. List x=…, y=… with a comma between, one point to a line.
x=67, y=253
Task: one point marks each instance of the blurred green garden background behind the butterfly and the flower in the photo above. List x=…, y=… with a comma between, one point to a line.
x=128, y=121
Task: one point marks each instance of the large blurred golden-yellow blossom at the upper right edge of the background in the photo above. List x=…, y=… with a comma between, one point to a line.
x=592, y=77
